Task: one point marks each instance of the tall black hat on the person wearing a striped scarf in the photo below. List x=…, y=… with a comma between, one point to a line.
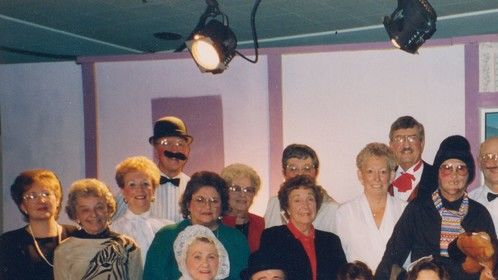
x=456, y=147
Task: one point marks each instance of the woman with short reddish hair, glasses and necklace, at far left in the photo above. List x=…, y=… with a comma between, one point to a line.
x=27, y=253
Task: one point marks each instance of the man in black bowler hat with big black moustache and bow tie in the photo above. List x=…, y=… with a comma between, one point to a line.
x=171, y=143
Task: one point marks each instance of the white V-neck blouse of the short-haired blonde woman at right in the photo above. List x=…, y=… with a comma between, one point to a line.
x=360, y=237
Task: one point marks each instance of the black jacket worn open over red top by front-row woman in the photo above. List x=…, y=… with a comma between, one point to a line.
x=279, y=243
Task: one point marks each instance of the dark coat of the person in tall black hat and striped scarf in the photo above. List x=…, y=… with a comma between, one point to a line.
x=418, y=231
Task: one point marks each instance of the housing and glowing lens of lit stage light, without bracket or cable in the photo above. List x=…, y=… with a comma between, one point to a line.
x=213, y=47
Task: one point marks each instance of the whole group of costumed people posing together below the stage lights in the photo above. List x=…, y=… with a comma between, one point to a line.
x=166, y=225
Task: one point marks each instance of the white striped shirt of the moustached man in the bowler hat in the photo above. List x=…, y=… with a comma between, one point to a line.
x=166, y=205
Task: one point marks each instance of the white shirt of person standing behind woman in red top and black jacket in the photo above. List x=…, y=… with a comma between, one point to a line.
x=325, y=218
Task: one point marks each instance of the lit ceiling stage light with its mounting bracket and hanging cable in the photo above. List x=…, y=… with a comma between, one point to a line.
x=213, y=45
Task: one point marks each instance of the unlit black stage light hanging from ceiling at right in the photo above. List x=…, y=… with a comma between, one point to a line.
x=411, y=24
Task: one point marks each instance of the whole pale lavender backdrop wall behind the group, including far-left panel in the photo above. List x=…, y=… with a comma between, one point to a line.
x=334, y=101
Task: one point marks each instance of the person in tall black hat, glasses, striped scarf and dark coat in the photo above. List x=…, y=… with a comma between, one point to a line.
x=429, y=225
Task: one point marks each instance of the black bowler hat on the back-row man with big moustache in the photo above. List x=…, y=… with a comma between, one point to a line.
x=170, y=126
